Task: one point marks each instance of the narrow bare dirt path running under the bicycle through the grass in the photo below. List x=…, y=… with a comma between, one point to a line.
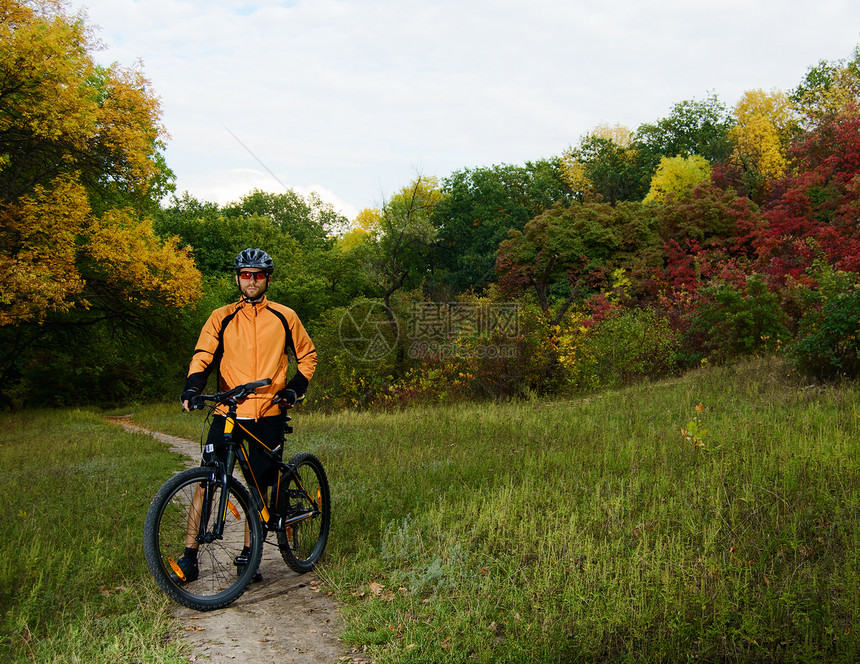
x=286, y=617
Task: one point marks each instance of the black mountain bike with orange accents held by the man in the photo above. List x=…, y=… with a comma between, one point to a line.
x=209, y=509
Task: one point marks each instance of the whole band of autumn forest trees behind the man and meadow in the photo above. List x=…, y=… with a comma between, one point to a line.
x=709, y=234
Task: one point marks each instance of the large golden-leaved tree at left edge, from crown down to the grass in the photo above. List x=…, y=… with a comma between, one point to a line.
x=80, y=168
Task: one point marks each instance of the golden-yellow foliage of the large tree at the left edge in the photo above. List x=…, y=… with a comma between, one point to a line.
x=76, y=140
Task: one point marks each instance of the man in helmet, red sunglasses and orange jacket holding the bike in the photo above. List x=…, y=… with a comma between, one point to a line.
x=248, y=341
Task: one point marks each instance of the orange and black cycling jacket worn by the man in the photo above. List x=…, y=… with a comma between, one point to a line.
x=249, y=342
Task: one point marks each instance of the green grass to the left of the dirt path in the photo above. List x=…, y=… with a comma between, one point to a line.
x=73, y=583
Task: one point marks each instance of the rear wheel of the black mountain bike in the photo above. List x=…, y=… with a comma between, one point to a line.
x=304, y=492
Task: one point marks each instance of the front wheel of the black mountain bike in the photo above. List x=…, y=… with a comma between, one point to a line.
x=220, y=581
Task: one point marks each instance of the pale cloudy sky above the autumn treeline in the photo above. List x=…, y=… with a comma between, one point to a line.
x=353, y=99
